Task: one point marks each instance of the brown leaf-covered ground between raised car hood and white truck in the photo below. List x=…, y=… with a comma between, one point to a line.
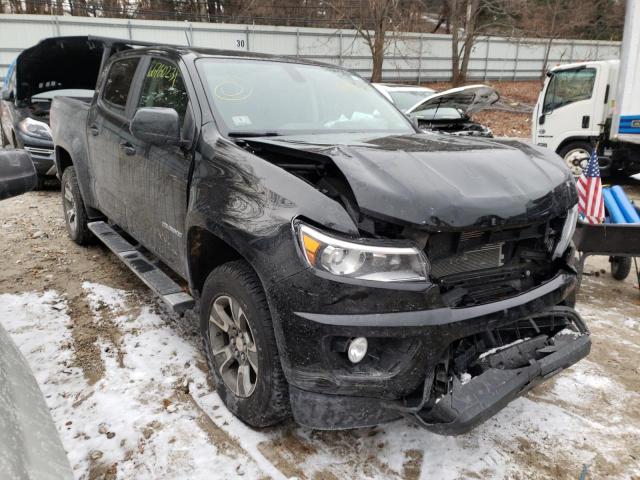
x=520, y=97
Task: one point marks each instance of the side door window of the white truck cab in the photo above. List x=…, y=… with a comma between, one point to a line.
x=569, y=86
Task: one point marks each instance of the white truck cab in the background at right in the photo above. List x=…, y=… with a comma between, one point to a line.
x=573, y=108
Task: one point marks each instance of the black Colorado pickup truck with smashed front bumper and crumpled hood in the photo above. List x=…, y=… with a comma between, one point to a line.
x=346, y=268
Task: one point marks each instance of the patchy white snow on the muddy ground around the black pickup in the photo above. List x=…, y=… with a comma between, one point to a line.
x=153, y=413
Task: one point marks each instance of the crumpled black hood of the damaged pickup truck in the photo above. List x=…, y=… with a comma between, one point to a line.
x=439, y=181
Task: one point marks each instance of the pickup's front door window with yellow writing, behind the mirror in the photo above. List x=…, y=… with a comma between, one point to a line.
x=163, y=87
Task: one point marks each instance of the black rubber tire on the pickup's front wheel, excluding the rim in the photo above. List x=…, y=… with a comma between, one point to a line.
x=268, y=401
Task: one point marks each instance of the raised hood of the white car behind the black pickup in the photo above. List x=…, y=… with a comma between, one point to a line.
x=470, y=99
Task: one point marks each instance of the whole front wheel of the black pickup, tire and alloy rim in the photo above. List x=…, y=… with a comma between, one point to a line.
x=264, y=399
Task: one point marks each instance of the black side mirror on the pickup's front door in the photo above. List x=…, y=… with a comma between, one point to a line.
x=157, y=126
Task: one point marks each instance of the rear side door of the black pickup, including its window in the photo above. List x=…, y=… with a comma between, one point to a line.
x=107, y=121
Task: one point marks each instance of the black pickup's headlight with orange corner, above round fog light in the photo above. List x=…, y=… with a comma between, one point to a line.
x=361, y=261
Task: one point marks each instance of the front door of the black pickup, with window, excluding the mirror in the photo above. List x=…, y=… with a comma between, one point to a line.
x=158, y=174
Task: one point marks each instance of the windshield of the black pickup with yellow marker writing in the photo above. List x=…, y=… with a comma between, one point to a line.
x=274, y=98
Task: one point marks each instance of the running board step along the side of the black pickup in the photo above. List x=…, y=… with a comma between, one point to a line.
x=158, y=281
